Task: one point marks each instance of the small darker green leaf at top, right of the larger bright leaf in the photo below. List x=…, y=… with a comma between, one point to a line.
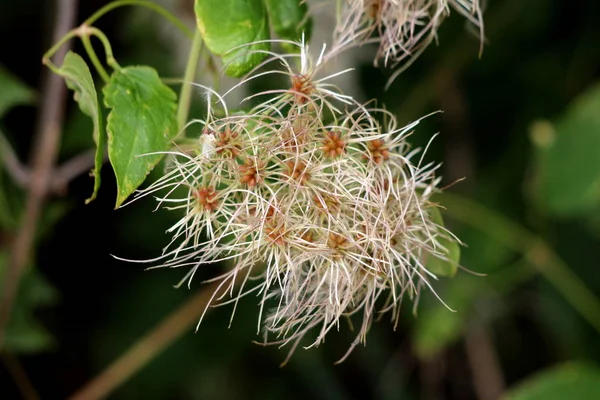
x=289, y=19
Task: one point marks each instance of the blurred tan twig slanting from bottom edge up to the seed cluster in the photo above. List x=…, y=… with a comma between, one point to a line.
x=148, y=347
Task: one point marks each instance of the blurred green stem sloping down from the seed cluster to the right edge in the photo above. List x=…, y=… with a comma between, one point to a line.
x=539, y=253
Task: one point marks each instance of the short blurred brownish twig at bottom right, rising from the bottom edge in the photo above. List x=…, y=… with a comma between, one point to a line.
x=487, y=375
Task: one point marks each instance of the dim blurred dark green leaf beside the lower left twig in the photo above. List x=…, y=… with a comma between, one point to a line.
x=24, y=333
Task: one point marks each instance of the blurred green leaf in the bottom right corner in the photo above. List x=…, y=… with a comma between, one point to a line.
x=573, y=381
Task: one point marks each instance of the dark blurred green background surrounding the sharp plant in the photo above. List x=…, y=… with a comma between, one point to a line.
x=521, y=124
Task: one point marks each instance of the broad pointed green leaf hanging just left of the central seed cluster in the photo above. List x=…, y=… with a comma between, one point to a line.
x=142, y=120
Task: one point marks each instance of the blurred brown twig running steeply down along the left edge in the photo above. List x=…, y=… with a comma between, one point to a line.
x=45, y=150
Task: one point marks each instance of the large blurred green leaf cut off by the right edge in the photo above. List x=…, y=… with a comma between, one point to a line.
x=568, y=170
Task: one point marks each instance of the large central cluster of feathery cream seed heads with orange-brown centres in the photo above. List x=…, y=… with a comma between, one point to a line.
x=317, y=201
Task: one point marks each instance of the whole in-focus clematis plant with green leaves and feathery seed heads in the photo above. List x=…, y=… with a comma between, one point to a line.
x=316, y=202
